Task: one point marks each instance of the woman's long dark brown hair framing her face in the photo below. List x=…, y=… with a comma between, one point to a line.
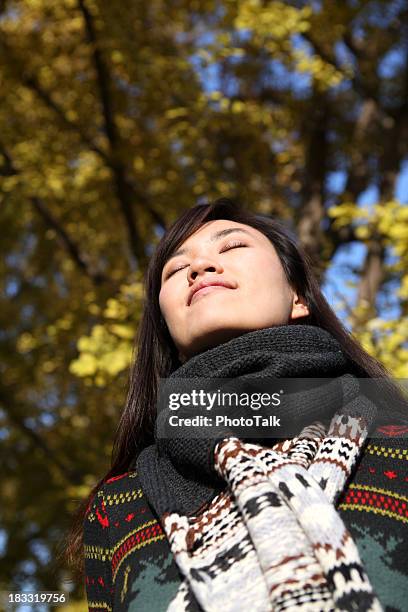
x=156, y=355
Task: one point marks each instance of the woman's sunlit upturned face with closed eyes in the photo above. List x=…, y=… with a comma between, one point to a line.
x=257, y=294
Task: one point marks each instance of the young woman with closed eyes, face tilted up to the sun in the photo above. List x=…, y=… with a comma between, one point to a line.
x=316, y=521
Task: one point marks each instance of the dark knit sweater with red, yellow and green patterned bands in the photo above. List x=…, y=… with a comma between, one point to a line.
x=129, y=566
